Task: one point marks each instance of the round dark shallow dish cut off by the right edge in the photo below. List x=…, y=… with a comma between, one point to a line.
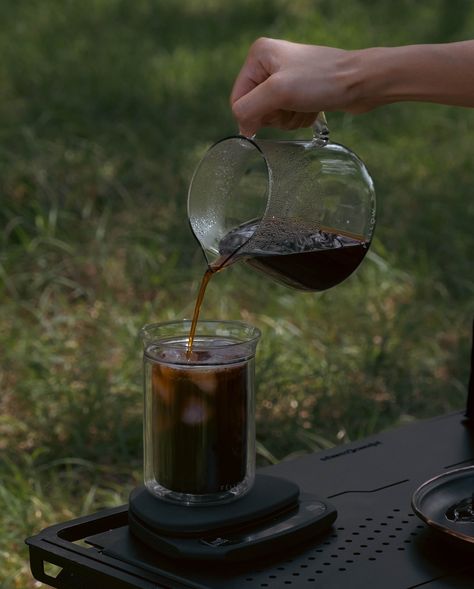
x=446, y=503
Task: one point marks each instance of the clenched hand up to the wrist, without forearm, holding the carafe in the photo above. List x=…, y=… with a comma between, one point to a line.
x=285, y=85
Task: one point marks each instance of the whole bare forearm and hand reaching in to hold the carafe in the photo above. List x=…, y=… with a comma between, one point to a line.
x=283, y=84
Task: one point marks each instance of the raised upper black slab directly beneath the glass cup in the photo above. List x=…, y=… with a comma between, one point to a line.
x=268, y=495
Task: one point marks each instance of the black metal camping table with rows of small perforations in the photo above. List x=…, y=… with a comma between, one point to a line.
x=375, y=542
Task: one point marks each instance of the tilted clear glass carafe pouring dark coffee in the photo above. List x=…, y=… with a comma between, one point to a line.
x=301, y=211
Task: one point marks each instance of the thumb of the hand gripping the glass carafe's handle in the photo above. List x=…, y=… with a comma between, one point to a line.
x=251, y=109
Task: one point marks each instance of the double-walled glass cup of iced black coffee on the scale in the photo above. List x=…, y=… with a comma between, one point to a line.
x=199, y=414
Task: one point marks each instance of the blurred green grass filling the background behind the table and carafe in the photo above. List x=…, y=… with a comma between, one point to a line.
x=105, y=109
